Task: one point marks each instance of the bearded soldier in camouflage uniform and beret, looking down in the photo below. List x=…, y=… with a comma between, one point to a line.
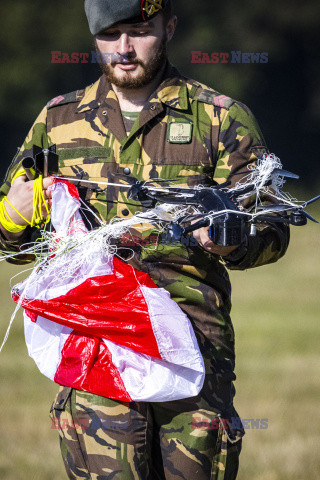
x=143, y=119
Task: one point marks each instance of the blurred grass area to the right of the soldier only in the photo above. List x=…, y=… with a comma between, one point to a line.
x=276, y=318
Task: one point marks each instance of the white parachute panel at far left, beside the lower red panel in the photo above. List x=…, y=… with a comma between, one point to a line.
x=45, y=341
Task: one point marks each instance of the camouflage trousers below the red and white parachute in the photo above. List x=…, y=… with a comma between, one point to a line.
x=105, y=439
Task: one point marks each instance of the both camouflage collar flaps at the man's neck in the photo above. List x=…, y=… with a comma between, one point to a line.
x=172, y=92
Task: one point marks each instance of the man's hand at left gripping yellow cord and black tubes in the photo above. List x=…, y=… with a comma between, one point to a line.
x=21, y=197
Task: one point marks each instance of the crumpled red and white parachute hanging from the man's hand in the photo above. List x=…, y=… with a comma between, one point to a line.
x=95, y=323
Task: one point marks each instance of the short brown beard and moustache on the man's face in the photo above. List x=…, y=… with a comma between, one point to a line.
x=149, y=70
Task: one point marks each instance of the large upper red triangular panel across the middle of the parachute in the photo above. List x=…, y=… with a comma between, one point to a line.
x=109, y=306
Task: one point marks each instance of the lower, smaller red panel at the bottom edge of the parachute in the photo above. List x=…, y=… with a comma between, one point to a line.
x=86, y=364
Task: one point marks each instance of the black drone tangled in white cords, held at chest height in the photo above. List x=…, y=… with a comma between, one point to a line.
x=219, y=208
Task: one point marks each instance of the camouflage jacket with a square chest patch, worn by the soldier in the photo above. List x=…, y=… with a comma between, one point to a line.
x=186, y=132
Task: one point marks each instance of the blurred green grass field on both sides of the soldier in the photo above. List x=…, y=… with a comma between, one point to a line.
x=276, y=318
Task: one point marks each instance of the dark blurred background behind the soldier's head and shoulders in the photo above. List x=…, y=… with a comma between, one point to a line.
x=284, y=93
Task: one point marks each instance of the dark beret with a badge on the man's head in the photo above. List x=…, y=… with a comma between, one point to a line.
x=102, y=14
